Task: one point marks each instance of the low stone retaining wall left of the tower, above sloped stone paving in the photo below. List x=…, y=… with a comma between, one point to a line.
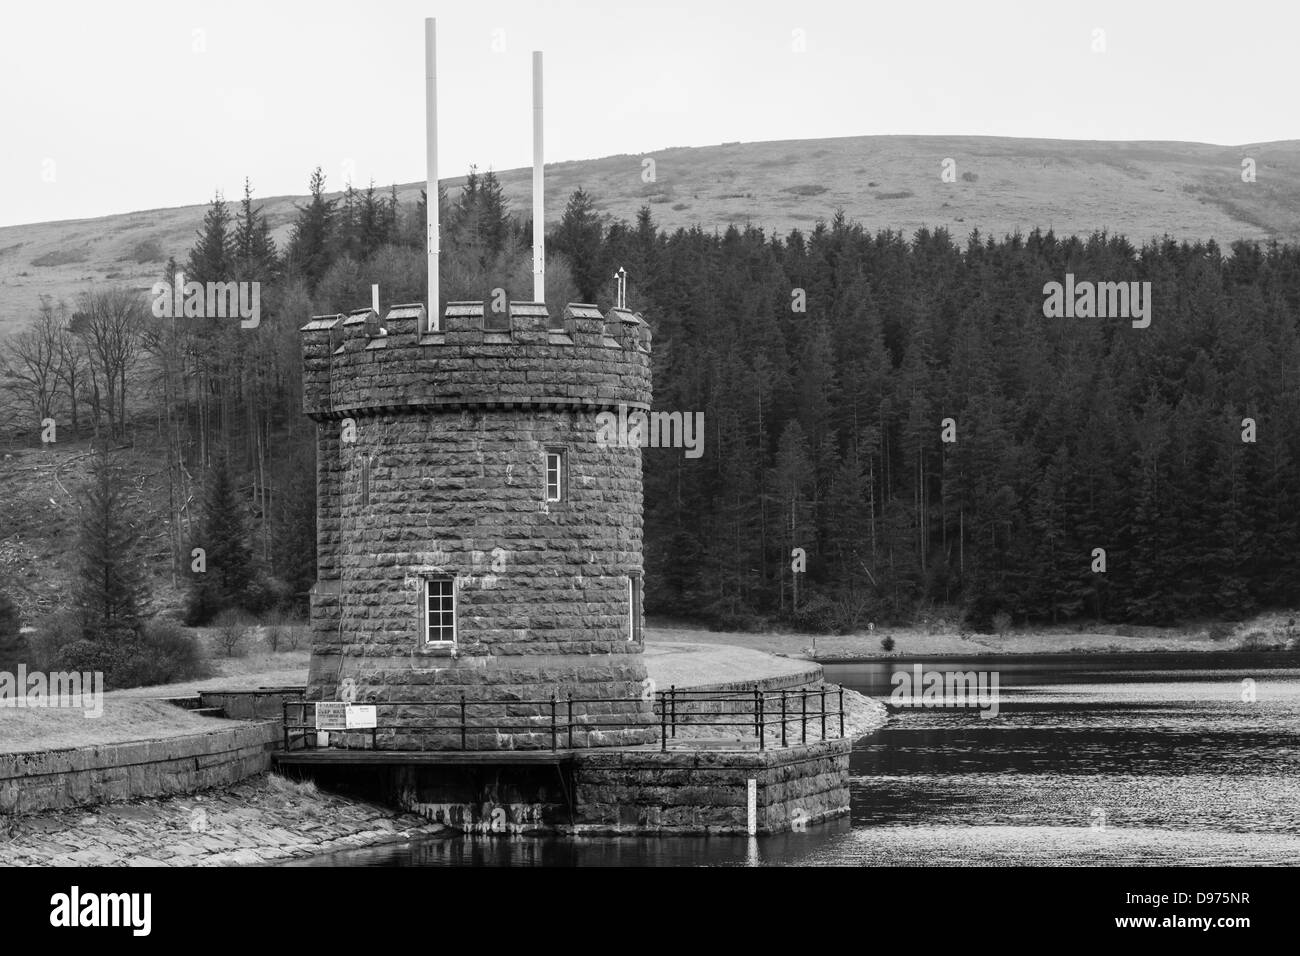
x=111, y=773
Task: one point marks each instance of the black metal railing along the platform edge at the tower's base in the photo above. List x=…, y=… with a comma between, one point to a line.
x=683, y=713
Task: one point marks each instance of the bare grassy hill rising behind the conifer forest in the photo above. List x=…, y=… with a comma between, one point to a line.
x=1141, y=189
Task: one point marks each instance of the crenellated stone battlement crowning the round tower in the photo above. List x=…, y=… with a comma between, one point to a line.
x=365, y=365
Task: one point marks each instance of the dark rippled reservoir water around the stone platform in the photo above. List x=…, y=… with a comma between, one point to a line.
x=1102, y=759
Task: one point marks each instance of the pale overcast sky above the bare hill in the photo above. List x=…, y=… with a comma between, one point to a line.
x=136, y=105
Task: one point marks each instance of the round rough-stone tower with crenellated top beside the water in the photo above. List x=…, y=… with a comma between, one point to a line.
x=478, y=539
